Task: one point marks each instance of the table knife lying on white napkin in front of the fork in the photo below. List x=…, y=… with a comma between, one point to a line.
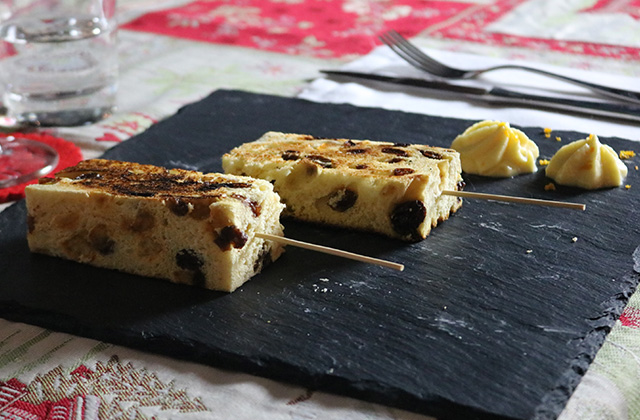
x=500, y=96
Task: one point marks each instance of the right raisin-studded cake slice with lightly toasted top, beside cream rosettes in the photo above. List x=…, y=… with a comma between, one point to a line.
x=389, y=188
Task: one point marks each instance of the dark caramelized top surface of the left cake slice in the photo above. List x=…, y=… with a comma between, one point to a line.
x=133, y=179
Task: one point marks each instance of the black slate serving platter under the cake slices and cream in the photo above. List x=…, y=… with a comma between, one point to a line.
x=498, y=313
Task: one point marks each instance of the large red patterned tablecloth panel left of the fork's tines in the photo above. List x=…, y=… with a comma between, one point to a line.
x=320, y=28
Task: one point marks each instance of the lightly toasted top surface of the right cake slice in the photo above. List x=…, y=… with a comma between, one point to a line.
x=356, y=157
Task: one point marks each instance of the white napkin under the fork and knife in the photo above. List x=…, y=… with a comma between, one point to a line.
x=395, y=97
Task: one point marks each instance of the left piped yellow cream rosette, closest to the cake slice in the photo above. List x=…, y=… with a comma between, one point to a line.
x=494, y=148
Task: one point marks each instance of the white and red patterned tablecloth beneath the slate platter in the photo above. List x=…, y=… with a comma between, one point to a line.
x=173, y=52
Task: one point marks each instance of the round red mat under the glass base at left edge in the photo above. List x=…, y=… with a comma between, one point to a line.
x=69, y=153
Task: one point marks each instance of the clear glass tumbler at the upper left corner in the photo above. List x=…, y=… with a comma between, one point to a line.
x=58, y=61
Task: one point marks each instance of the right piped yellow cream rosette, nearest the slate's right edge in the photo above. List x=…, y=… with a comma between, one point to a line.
x=587, y=164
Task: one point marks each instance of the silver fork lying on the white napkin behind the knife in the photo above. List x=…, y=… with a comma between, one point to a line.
x=417, y=58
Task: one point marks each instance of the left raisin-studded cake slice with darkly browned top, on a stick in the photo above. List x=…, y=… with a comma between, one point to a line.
x=179, y=225
